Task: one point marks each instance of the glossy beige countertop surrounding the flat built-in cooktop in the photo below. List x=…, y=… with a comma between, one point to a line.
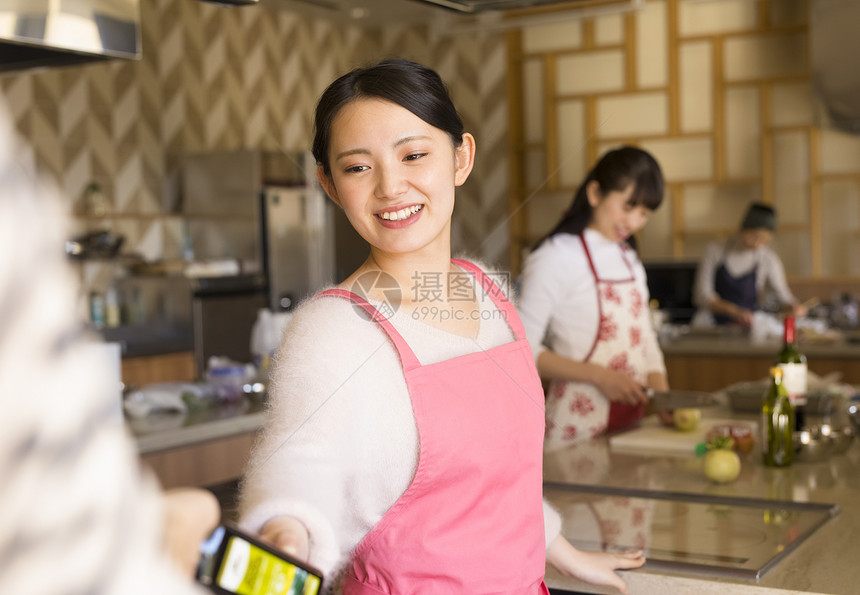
x=825, y=562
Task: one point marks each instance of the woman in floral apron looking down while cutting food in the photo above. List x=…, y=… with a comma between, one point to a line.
x=584, y=303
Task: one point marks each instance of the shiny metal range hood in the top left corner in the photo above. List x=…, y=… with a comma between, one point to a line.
x=42, y=33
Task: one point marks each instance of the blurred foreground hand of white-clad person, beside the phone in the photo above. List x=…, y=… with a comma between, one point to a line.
x=190, y=516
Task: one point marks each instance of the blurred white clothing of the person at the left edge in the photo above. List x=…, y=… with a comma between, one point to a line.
x=75, y=516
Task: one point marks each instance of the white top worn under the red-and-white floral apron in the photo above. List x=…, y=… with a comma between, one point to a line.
x=558, y=302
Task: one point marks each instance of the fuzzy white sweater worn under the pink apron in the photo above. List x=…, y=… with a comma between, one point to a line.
x=340, y=444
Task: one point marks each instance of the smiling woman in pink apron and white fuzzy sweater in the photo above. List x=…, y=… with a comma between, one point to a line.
x=413, y=343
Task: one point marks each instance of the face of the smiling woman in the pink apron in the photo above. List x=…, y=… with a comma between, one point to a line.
x=394, y=175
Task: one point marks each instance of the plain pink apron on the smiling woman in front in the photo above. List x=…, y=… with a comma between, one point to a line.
x=471, y=521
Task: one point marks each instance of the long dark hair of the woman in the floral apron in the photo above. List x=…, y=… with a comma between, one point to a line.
x=615, y=171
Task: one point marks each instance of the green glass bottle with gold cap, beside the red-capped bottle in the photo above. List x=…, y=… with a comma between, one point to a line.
x=777, y=424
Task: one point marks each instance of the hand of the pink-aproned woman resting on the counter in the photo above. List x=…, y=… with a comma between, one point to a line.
x=597, y=568
